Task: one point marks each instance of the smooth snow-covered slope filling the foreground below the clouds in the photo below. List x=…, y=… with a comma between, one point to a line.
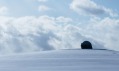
x=62, y=60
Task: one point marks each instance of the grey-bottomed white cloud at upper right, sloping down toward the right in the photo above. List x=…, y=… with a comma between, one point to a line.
x=89, y=7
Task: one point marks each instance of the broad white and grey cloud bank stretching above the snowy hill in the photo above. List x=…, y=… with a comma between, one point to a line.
x=31, y=34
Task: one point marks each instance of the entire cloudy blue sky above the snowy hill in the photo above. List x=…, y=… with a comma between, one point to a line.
x=37, y=25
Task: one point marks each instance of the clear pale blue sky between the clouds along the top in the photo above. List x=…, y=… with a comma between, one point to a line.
x=60, y=7
